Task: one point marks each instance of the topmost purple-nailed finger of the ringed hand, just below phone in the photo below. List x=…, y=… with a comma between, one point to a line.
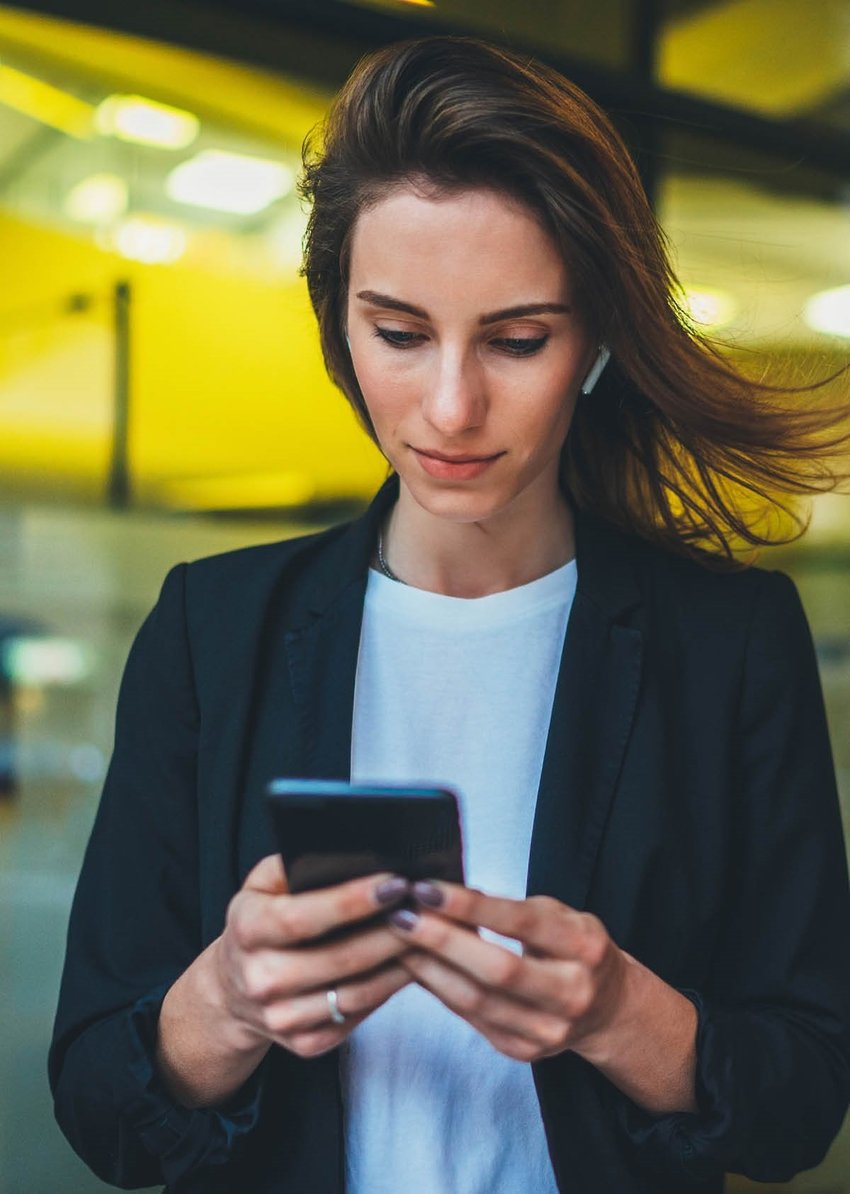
x=279, y=921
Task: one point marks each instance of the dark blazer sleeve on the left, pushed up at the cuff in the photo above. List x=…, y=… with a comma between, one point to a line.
x=135, y=927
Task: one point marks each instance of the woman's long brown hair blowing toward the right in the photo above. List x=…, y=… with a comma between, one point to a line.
x=674, y=444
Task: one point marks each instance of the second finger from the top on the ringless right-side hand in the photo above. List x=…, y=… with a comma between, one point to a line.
x=532, y=980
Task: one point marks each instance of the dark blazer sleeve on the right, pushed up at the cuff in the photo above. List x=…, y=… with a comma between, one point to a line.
x=774, y=1017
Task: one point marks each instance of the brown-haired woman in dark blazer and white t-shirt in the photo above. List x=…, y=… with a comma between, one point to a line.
x=535, y=610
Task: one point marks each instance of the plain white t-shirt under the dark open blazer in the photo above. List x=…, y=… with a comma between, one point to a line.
x=455, y=692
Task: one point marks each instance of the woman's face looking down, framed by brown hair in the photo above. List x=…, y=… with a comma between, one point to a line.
x=467, y=347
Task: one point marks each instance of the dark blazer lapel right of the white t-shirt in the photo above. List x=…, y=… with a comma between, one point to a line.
x=592, y=718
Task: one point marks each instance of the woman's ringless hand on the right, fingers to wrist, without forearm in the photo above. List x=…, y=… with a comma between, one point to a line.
x=563, y=992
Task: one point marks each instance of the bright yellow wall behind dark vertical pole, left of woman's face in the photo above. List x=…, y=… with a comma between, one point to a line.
x=230, y=401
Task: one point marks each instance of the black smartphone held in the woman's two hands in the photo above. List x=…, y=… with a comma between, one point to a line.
x=330, y=832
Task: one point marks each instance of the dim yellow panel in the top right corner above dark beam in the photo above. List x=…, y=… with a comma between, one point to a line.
x=780, y=58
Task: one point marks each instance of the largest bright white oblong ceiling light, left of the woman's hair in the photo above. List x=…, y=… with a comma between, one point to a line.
x=230, y=182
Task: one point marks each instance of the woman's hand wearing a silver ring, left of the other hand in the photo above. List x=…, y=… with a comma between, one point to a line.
x=275, y=976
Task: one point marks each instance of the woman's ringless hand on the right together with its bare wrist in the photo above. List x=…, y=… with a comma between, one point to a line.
x=572, y=988
